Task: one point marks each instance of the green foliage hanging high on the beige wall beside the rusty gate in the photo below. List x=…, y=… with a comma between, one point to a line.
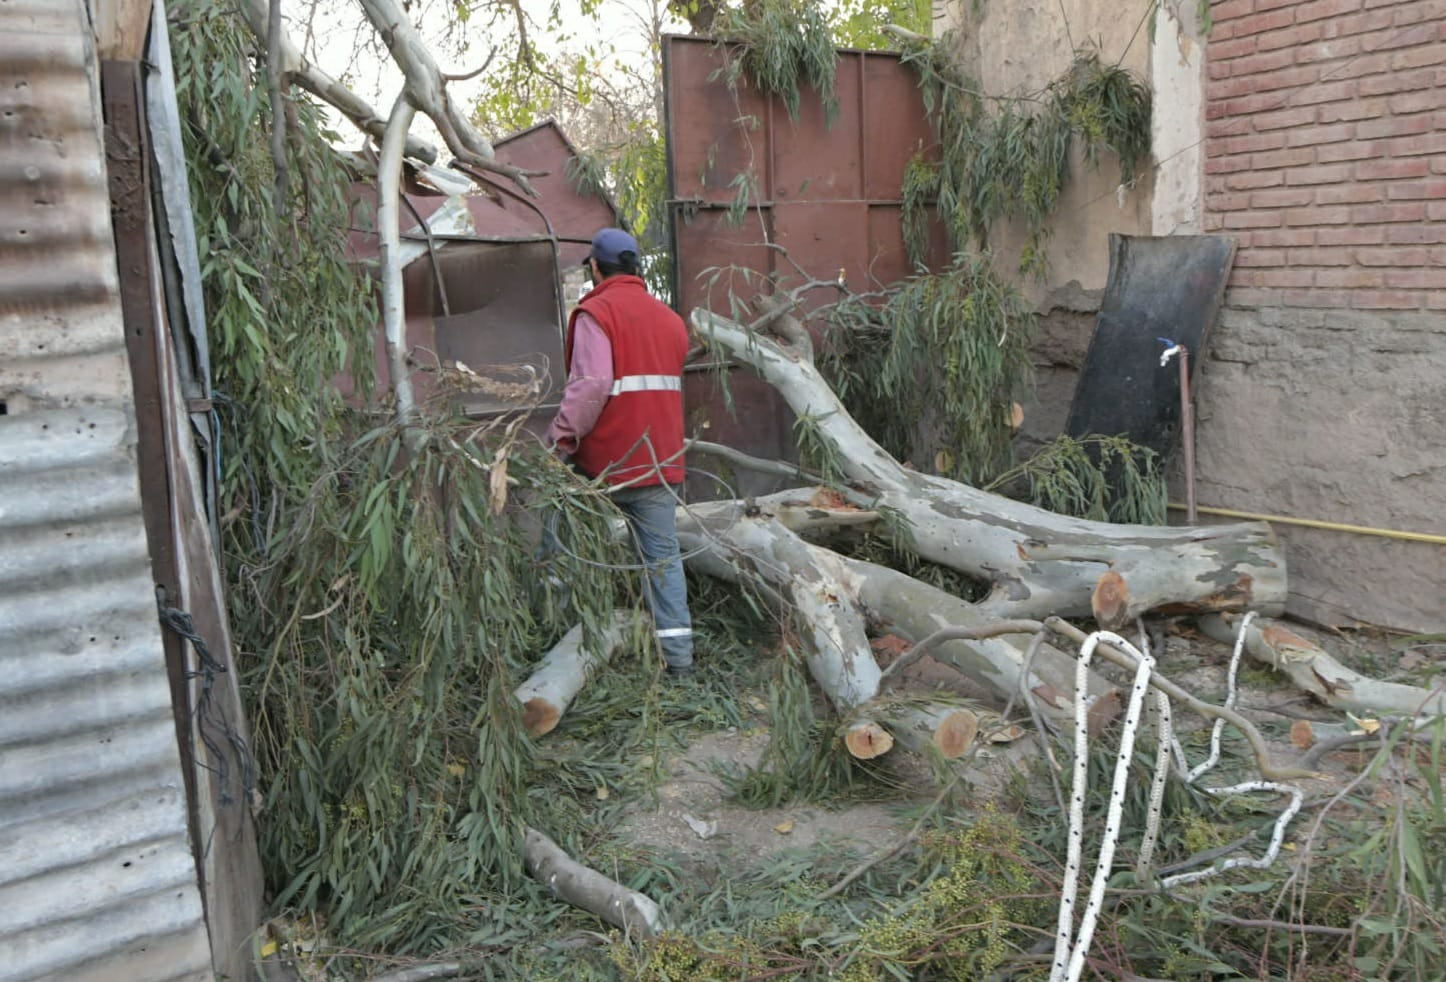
x=1010, y=158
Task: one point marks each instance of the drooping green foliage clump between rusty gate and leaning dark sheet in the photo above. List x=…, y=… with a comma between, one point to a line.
x=945, y=356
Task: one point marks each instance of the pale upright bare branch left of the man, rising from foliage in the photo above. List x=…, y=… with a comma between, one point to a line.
x=390, y=232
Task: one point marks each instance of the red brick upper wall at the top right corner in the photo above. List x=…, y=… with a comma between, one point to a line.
x=1325, y=151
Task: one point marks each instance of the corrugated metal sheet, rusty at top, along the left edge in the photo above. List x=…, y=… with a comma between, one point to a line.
x=98, y=879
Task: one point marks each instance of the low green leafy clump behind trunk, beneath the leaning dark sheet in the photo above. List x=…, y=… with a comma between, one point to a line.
x=1107, y=479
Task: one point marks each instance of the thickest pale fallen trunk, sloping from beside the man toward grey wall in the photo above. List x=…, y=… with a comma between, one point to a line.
x=1039, y=563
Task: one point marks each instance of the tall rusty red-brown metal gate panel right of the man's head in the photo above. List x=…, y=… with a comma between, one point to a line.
x=828, y=195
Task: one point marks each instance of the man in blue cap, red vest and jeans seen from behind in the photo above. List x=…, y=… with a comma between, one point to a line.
x=623, y=420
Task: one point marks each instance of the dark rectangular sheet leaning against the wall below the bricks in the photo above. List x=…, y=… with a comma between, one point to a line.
x=1159, y=287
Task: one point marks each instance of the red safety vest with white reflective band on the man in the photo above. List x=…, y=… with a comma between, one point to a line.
x=638, y=437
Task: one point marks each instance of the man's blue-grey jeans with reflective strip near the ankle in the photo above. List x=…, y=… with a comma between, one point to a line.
x=653, y=518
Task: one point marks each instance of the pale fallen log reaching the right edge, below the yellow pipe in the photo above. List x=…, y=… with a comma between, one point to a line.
x=1314, y=670
